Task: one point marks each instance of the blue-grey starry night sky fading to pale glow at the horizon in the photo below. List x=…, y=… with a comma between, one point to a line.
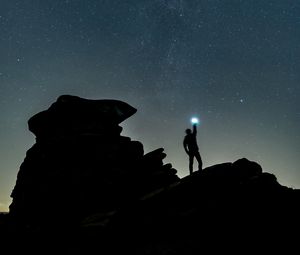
x=233, y=63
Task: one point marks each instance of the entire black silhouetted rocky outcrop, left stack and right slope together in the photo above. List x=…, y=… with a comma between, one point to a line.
x=83, y=179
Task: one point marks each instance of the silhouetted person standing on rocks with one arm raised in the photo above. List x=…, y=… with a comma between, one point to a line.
x=191, y=148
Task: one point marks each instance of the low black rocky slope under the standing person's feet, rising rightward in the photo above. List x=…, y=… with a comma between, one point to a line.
x=231, y=207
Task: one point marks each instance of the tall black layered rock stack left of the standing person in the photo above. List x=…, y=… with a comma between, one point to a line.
x=80, y=165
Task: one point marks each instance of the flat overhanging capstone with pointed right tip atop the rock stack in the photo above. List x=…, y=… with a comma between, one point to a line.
x=71, y=115
